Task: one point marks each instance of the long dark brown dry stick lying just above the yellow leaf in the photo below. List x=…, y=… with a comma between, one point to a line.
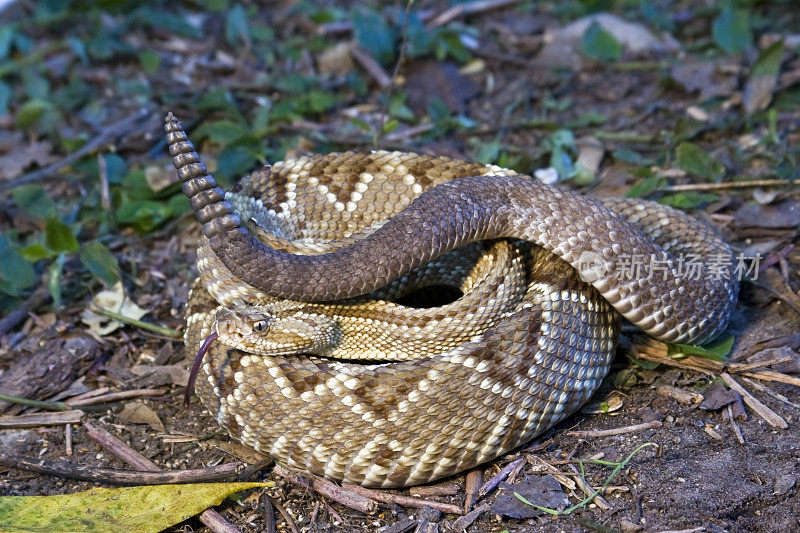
x=116, y=476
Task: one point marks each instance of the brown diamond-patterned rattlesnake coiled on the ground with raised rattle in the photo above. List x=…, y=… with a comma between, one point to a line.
x=451, y=405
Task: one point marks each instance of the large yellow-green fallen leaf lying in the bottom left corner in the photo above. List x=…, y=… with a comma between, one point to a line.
x=120, y=510
